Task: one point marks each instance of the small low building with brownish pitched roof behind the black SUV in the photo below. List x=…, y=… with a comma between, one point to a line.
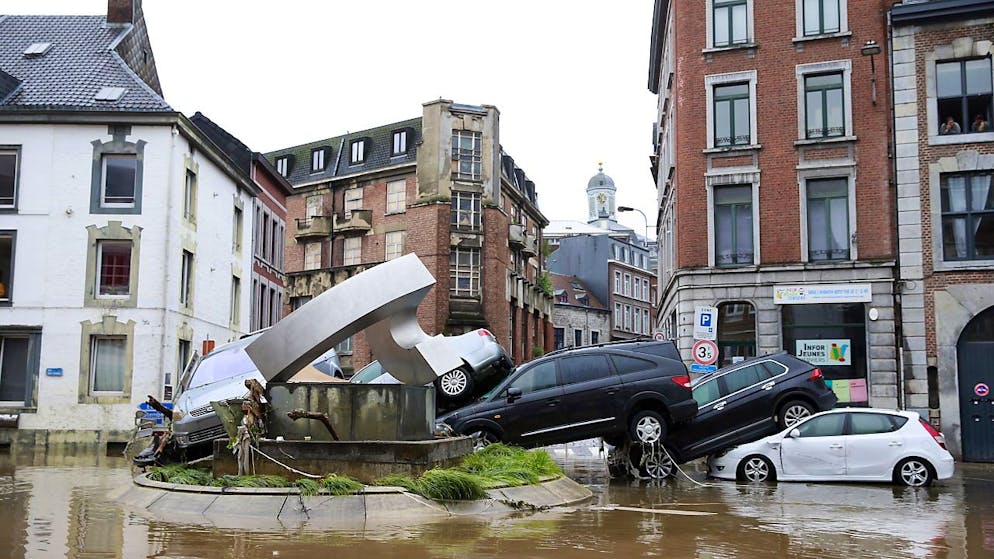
x=578, y=317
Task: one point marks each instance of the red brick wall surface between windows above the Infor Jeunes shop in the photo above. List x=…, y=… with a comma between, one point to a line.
x=774, y=60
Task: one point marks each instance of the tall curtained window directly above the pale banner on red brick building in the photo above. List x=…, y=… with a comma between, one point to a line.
x=828, y=219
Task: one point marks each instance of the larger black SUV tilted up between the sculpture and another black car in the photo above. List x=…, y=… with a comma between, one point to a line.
x=638, y=388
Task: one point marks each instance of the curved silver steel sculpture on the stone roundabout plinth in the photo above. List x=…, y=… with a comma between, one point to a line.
x=382, y=300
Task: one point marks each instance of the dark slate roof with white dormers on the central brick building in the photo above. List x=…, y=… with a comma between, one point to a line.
x=379, y=143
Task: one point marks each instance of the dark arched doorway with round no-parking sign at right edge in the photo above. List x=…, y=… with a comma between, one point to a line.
x=975, y=356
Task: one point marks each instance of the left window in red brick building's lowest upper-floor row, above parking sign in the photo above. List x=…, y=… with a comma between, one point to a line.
x=733, y=225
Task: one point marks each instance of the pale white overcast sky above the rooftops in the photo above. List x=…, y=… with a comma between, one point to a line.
x=569, y=76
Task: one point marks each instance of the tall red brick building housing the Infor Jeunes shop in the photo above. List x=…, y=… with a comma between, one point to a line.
x=770, y=160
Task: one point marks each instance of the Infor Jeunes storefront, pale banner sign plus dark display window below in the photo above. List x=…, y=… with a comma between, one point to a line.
x=826, y=326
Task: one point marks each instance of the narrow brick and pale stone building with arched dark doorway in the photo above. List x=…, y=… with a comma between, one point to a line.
x=942, y=72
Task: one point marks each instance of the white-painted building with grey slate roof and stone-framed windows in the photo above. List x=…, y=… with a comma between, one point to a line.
x=111, y=272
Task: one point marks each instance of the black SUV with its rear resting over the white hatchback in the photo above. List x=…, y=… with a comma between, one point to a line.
x=748, y=401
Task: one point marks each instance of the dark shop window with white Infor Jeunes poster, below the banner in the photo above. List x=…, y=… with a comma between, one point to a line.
x=833, y=338
